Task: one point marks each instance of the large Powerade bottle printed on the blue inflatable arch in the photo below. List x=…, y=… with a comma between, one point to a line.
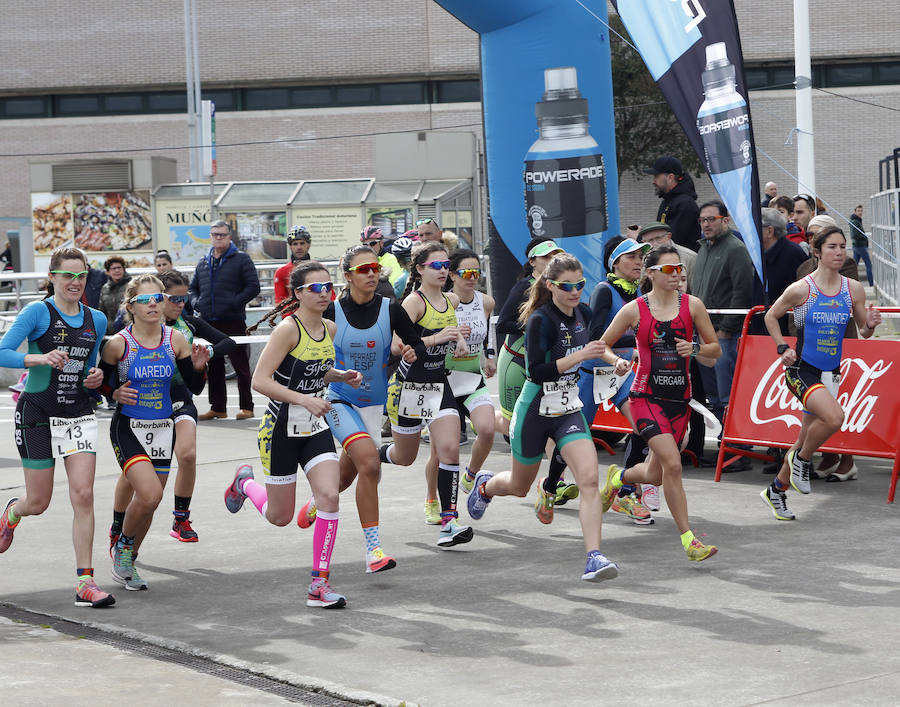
x=565, y=179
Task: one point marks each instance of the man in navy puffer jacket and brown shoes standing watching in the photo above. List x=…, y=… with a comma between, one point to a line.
x=224, y=281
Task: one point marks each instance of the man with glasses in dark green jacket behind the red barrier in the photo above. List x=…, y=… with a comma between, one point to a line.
x=722, y=279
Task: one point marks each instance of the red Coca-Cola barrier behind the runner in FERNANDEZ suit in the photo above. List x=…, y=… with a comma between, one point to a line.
x=761, y=410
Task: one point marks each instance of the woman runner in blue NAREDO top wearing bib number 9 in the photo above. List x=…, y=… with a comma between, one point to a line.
x=145, y=355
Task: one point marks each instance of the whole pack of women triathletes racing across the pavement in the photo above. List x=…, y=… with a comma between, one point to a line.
x=327, y=369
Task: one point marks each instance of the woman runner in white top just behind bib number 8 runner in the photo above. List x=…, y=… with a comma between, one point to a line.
x=464, y=373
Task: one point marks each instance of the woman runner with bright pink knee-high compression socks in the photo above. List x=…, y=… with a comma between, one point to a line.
x=293, y=370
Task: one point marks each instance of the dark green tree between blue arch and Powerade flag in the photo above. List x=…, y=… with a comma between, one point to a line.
x=645, y=125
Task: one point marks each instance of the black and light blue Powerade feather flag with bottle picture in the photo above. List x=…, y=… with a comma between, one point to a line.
x=693, y=51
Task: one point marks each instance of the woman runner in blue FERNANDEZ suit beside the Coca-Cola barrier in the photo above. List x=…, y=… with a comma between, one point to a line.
x=812, y=366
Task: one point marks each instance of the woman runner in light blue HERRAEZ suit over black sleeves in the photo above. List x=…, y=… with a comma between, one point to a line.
x=366, y=326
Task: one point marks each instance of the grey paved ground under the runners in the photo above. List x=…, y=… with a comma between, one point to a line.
x=800, y=613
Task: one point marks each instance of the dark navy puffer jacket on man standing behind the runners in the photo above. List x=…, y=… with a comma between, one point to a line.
x=222, y=287
